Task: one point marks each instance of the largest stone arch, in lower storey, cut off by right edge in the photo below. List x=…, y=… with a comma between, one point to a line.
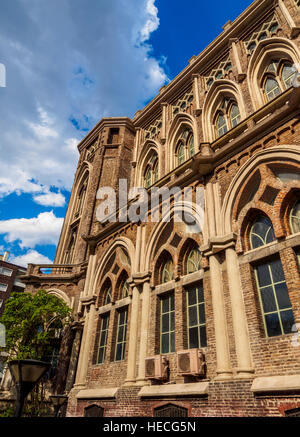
x=289, y=153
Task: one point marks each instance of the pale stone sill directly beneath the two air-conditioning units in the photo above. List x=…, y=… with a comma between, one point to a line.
x=193, y=389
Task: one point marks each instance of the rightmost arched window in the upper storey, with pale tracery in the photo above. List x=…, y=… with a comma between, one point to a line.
x=278, y=77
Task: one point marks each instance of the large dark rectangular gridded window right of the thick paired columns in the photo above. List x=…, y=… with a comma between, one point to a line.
x=274, y=298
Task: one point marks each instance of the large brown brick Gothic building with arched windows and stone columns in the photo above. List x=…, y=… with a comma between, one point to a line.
x=152, y=299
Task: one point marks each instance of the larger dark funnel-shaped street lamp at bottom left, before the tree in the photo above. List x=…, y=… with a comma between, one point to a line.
x=26, y=374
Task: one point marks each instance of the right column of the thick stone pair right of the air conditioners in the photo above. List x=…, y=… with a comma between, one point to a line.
x=242, y=344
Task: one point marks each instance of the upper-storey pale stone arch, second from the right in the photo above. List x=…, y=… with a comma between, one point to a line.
x=219, y=90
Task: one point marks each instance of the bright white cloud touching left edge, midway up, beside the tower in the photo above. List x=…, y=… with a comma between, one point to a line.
x=41, y=230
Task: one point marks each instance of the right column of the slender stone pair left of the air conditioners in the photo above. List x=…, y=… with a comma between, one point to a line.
x=144, y=332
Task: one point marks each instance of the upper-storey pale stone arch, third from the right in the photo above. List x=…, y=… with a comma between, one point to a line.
x=179, y=120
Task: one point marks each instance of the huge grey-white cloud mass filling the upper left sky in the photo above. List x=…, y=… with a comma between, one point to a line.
x=59, y=76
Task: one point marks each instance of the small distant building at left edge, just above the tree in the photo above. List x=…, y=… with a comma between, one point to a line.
x=9, y=280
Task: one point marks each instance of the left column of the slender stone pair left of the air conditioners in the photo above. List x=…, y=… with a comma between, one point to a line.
x=133, y=336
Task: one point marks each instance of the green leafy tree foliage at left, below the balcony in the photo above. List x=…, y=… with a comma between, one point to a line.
x=32, y=324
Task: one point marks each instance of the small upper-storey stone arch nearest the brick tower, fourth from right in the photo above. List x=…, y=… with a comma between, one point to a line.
x=149, y=148
